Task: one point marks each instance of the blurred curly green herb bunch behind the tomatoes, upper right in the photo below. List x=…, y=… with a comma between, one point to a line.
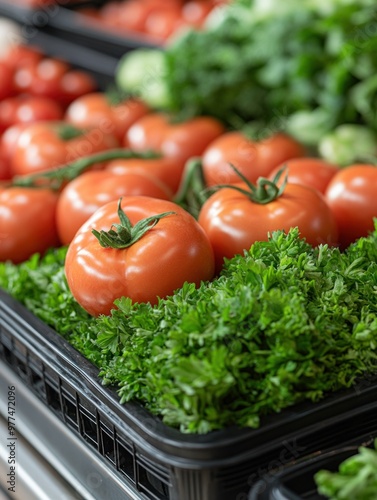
x=267, y=60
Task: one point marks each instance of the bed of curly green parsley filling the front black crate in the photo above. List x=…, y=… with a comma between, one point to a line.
x=283, y=323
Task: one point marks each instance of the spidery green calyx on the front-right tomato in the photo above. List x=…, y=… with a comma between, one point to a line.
x=263, y=192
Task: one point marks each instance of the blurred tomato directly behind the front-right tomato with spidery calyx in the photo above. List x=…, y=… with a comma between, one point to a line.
x=253, y=159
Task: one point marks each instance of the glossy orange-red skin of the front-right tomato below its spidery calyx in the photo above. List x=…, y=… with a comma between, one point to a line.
x=233, y=222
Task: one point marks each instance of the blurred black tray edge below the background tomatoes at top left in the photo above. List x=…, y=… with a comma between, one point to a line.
x=67, y=23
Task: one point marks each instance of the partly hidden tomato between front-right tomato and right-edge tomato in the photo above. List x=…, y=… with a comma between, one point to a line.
x=312, y=172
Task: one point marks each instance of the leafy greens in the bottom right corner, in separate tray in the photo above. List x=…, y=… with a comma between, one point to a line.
x=356, y=477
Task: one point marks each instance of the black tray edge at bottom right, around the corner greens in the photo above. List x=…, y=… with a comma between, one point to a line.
x=296, y=482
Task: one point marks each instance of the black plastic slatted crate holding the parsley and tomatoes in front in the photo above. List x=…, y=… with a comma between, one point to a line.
x=156, y=460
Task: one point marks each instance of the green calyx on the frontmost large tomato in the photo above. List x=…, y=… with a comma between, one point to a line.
x=125, y=234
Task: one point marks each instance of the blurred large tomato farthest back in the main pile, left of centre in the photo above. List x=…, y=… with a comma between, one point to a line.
x=95, y=110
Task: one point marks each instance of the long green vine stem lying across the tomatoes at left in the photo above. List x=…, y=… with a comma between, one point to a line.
x=56, y=177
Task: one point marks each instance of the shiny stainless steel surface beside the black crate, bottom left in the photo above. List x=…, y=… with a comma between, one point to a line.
x=64, y=458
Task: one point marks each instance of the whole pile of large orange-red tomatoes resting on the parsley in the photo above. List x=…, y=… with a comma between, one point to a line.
x=64, y=176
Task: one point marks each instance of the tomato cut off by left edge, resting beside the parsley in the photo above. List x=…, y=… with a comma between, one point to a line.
x=27, y=222
